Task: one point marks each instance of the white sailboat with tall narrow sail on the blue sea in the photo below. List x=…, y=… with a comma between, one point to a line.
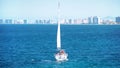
x=61, y=55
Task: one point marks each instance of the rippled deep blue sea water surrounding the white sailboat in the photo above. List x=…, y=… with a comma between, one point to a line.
x=34, y=46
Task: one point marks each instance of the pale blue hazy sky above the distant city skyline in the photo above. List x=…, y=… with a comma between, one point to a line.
x=48, y=8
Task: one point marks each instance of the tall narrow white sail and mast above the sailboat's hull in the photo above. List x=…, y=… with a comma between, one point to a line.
x=58, y=30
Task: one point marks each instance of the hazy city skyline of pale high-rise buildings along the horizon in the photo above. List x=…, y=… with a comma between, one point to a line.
x=90, y=20
